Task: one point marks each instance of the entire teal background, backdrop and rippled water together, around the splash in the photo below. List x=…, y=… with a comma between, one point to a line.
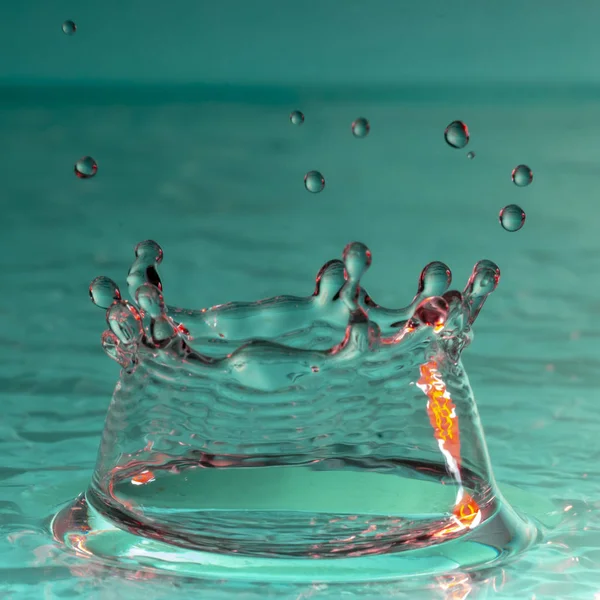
x=185, y=107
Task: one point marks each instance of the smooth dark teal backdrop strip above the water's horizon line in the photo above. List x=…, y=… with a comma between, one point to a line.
x=314, y=41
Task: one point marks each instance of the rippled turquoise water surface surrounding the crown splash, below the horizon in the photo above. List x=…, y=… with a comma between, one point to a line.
x=216, y=176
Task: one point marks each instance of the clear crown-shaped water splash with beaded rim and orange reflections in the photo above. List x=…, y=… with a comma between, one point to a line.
x=261, y=435
